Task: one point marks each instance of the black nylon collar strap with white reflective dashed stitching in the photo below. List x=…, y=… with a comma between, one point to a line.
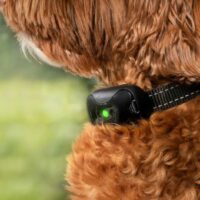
x=169, y=96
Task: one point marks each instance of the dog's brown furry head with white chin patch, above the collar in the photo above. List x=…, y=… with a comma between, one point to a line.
x=142, y=42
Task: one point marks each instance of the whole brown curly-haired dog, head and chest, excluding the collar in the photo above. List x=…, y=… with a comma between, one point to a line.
x=141, y=42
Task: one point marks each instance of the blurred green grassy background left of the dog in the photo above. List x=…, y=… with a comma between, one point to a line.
x=42, y=111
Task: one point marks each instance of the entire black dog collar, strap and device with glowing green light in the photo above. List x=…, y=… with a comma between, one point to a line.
x=128, y=103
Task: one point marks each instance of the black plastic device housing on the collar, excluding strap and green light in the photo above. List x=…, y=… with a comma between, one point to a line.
x=126, y=103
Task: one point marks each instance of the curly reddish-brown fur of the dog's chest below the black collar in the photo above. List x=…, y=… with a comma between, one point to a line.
x=155, y=159
